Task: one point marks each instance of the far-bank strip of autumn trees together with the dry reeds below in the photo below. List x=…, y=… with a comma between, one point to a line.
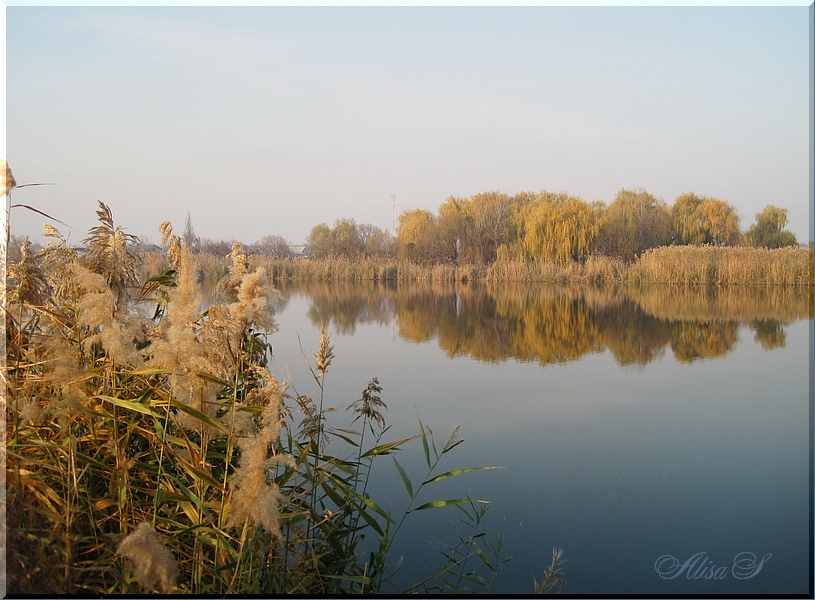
x=548, y=237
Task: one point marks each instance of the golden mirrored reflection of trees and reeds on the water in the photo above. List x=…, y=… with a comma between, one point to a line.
x=557, y=324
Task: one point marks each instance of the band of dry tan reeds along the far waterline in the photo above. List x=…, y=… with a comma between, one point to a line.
x=684, y=265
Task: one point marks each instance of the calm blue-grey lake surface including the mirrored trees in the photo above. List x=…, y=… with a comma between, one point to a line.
x=630, y=424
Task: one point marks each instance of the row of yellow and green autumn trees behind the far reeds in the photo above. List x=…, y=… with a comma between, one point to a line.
x=559, y=227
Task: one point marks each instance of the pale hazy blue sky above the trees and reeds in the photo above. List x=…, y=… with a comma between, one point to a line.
x=270, y=120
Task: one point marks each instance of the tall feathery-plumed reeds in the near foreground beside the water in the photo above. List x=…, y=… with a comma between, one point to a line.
x=149, y=449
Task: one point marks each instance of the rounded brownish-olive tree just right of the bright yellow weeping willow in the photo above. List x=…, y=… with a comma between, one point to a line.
x=634, y=222
